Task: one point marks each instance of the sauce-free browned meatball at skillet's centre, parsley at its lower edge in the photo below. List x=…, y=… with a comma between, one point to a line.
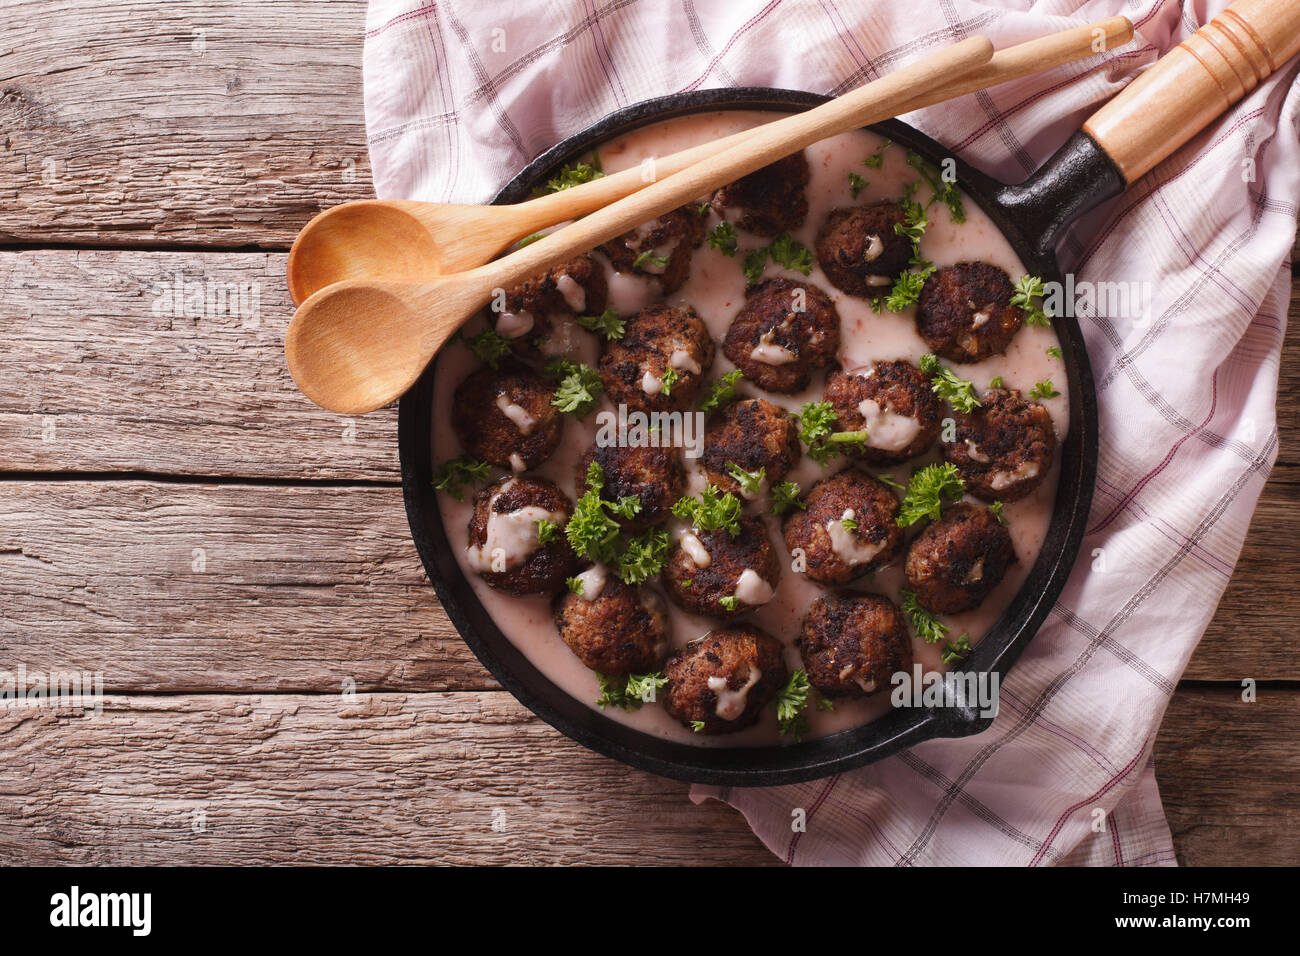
x=752, y=435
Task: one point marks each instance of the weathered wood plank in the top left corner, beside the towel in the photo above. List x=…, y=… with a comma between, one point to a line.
x=219, y=123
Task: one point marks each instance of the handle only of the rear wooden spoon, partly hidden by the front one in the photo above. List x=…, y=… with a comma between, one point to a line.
x=1013, y=63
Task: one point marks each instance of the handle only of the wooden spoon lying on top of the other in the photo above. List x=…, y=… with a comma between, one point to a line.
x=872, y=103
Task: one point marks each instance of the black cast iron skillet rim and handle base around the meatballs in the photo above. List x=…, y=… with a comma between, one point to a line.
x=1032, y=217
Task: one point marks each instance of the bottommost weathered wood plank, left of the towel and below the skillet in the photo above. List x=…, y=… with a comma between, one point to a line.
x=461, y=778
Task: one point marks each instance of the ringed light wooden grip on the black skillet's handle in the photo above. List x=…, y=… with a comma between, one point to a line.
x=1195, y=83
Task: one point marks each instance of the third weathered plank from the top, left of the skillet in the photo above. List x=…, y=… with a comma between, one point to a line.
x=168, y=587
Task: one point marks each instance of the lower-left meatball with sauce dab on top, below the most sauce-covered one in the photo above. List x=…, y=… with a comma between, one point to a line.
x=613, y=628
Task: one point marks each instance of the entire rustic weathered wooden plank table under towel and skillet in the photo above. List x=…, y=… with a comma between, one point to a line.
x=236, y=561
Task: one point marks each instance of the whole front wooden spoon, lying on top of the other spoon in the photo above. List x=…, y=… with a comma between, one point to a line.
x=358, y=345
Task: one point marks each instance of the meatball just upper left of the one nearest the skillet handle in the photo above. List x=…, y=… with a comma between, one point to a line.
x=860, y=250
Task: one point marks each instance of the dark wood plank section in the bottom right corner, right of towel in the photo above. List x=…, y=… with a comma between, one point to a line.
x=1228, y=775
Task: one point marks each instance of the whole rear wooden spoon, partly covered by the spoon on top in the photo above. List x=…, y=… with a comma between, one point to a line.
x=409, y=241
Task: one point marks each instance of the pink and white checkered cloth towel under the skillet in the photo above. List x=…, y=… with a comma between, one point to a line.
x=460, y=96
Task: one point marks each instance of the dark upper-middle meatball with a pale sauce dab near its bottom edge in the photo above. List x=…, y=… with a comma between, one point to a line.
x=785, y=332
